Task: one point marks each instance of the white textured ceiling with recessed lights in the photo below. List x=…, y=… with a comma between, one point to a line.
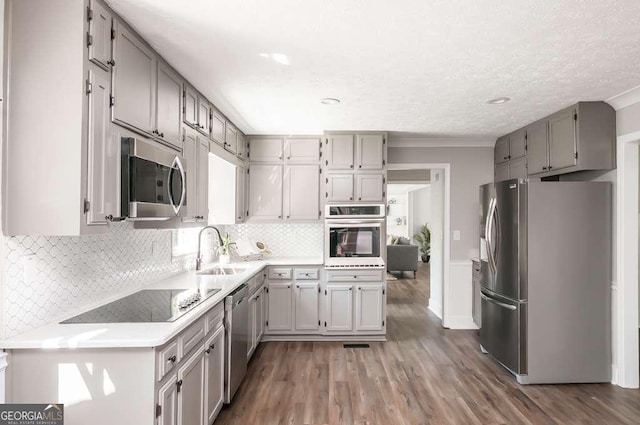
x=410, y=66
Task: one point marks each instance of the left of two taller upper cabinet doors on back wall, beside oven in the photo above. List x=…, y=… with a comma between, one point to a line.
x=265, y=192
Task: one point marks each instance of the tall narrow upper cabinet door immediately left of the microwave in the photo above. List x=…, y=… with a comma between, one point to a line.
x=103, y=152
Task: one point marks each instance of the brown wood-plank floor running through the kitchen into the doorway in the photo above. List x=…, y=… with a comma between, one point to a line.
x=424, y=374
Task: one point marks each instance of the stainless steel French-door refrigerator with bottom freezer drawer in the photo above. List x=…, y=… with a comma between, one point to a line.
x=546, y=279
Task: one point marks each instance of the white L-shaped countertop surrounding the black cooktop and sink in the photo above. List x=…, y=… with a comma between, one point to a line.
x=128, y=335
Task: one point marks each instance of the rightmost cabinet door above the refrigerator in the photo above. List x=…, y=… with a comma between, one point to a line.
x=562, y=140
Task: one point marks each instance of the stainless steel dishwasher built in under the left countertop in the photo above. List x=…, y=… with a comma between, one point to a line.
x=236, y=312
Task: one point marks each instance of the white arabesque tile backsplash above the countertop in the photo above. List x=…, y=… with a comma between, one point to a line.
x=46, y=278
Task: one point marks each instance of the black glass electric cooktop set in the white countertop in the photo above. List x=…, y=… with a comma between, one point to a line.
x=149, y=305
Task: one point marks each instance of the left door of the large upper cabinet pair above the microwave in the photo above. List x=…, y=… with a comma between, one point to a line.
x=134, y=82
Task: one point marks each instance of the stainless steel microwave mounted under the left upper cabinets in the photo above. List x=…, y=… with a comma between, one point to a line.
x=153, y=181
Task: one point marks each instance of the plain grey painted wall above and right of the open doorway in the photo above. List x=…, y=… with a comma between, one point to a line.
x=470, y=168
